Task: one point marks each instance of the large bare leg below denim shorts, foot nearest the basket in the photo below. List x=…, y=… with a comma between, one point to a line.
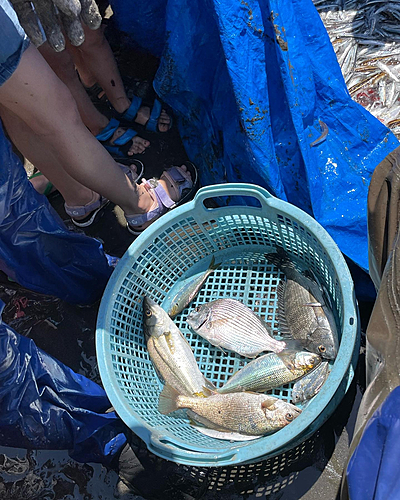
x=43, y=102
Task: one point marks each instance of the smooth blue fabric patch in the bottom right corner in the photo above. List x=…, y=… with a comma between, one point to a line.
x=372, y=471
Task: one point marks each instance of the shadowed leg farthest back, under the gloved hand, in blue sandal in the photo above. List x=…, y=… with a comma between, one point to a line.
x=95, y=57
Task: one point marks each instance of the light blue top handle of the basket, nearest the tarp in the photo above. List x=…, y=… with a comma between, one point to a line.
x=232, y=189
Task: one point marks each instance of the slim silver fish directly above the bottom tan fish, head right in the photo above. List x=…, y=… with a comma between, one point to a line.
x=270, y=371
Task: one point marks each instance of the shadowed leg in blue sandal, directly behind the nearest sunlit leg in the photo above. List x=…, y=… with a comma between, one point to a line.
x=63, y=66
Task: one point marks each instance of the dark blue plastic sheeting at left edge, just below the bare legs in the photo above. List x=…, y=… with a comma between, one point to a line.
x=36, y=249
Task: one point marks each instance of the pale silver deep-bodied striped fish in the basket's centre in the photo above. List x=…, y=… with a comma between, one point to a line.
x=229, y=324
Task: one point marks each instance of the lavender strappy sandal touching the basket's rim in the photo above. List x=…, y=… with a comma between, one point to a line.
x=185, y=183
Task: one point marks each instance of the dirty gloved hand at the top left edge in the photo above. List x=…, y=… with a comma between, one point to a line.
x=55, y=17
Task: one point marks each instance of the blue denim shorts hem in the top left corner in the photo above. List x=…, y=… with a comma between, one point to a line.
x=13, y=41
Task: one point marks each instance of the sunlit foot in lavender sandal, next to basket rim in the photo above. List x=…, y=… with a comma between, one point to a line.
x=148, y=201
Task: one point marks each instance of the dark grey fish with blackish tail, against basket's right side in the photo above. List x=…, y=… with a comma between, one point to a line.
x=303, y=311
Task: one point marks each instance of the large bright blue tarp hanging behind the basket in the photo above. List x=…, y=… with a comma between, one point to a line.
x=249, y=82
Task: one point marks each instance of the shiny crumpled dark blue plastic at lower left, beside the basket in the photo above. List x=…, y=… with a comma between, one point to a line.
x=45, y=405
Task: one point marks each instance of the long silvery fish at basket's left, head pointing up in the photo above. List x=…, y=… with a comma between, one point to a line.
x=171, y=353
